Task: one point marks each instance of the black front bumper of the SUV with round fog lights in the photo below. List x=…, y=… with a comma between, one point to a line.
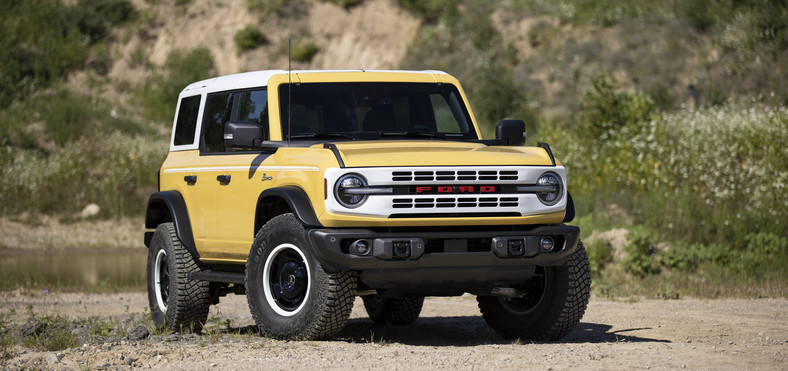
x=449, y=263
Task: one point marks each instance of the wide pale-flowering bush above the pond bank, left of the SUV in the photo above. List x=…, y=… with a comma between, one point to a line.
x=115, y=171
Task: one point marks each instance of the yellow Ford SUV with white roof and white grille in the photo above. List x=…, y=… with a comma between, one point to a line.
x=305, y=189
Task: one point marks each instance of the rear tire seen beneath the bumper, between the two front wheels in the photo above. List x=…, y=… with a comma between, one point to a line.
x=393, y=311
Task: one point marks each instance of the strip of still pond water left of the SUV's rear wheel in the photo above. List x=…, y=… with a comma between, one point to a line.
x=95, y=270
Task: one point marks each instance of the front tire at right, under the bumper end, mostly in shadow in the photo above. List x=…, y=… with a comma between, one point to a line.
x=556, y=299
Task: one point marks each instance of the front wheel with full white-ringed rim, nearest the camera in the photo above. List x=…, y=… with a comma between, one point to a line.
x=290, y=296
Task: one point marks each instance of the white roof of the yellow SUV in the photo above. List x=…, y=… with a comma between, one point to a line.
x=260, y=78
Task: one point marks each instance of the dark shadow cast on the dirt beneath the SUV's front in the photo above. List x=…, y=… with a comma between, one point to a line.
x=469, y=331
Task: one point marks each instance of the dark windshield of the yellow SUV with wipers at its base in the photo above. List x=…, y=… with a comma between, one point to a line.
x=367, y=110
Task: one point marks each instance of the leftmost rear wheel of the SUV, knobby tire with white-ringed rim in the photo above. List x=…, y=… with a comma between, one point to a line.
x=176, y=303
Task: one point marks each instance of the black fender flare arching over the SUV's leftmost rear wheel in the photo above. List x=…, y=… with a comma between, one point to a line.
x=168, y=206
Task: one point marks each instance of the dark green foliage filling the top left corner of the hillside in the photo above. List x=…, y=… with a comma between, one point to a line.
x=45, y=40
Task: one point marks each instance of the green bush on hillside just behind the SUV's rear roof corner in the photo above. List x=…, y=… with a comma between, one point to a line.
x=161, y=89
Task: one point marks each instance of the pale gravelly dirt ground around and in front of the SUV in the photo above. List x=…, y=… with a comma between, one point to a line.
x=646, y=334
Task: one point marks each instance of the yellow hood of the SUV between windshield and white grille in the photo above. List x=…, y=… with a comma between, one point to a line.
x=437, y=153
